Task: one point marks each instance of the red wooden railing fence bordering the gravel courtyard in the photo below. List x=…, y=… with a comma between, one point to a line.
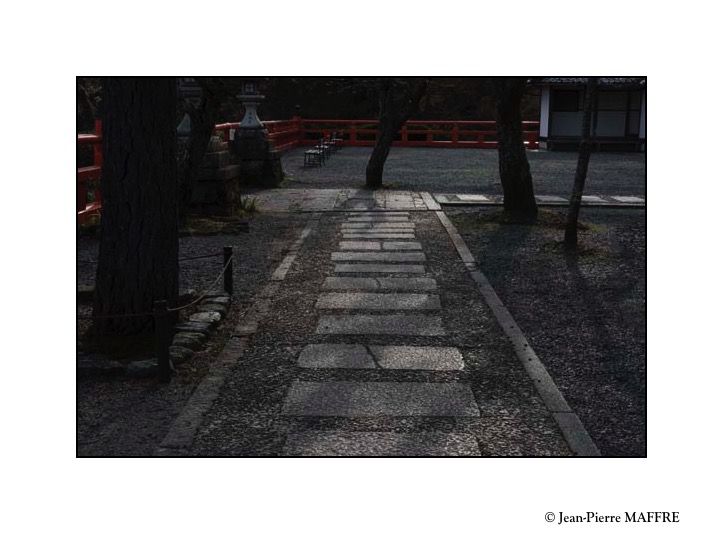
x=287, y=134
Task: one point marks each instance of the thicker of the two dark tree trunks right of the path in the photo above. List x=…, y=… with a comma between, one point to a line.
x=519, y=198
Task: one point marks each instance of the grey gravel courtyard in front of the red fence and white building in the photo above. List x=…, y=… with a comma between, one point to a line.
x=463, y=170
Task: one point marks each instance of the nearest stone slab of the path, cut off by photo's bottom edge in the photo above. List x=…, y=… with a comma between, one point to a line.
x=379, y=443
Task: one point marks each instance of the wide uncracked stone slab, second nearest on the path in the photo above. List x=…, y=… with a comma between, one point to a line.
x=362, y=399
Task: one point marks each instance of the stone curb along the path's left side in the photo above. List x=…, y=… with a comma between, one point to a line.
x=180, y=436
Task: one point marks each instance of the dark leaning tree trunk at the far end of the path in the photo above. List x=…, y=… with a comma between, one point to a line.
x=398, y=102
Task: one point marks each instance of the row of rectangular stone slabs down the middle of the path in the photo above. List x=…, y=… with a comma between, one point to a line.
x=354, y=399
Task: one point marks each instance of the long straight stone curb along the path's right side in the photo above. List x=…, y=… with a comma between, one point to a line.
x=572, y=428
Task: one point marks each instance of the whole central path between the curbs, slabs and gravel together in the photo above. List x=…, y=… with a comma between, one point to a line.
x=376, y=342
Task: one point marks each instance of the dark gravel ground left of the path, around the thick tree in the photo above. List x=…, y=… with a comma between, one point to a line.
x=122, y=416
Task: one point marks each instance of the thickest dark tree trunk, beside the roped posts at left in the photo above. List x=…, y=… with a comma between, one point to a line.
x=138, y=260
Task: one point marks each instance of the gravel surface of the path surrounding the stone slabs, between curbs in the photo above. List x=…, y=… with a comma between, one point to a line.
x=246, y=419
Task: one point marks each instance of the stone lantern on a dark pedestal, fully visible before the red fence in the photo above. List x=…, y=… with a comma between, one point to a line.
x=259, y=162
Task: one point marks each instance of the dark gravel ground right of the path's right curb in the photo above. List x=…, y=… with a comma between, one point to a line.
x=585, y=316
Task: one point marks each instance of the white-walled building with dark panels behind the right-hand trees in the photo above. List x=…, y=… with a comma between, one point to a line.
x=619, y=123
